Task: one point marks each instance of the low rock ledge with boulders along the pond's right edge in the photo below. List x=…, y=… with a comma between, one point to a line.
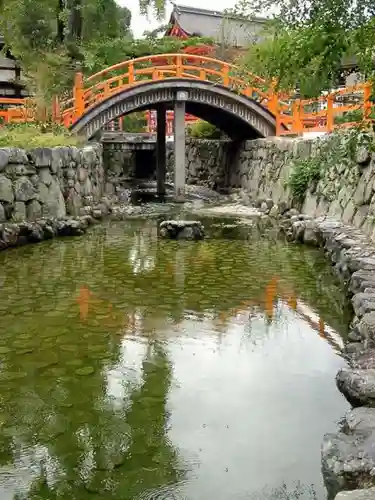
x=348, y=456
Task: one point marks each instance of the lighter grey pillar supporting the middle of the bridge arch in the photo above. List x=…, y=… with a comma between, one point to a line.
x=179, y=147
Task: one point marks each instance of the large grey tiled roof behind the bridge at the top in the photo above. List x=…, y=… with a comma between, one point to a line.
x=224, y=28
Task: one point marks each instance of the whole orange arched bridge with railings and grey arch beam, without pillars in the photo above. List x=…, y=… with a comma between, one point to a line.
x=238, y=102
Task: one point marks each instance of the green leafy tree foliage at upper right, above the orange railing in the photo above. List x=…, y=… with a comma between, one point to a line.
x=305, y=43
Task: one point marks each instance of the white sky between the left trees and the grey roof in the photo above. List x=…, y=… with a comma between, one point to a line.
x=141, y=23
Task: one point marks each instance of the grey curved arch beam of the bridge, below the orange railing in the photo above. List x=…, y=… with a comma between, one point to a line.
x=237, y=115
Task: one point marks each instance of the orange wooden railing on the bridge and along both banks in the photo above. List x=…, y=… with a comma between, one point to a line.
x=293, y=116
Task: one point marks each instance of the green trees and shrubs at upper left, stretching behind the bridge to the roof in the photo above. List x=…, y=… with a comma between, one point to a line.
x=54, y=38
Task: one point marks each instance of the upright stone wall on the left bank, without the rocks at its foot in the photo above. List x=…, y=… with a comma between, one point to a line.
x=49, y=182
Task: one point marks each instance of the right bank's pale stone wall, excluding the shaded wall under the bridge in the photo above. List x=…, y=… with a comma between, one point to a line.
x=346, y=190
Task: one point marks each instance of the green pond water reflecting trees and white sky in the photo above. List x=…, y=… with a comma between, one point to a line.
x=133, y=368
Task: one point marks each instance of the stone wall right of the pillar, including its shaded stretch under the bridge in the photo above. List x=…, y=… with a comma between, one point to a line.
x=346, y=190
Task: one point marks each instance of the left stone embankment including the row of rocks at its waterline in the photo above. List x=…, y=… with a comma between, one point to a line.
x=49, y=192
